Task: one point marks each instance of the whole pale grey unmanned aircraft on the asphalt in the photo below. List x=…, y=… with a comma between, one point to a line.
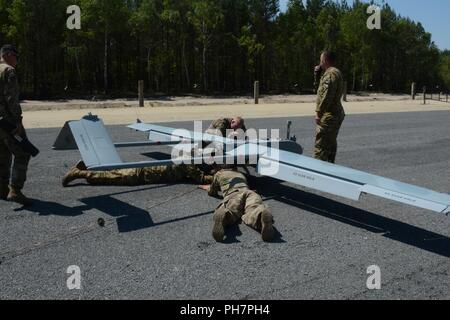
x=282, y=160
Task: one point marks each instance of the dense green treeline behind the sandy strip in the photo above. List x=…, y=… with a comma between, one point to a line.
x=213, y=46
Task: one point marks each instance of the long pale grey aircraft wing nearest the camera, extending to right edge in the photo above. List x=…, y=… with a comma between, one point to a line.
x=346, y=182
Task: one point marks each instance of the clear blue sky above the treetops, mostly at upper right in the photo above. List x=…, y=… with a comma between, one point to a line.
x=433, y=14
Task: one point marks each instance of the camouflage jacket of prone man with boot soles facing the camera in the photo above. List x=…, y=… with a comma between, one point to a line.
x=227, y=181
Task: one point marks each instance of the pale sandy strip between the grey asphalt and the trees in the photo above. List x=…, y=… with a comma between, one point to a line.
x=38, y=118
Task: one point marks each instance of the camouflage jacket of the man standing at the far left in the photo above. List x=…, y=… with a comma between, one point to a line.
x=9, y=94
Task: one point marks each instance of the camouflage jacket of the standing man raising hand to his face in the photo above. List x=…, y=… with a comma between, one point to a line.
x=329, y=93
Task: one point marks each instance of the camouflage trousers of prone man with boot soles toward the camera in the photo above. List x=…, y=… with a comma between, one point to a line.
x=245, y=205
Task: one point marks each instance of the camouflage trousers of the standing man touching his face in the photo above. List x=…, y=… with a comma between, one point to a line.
x=326, y=138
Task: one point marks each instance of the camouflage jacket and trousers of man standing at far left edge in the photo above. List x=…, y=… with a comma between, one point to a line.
x=10, y=109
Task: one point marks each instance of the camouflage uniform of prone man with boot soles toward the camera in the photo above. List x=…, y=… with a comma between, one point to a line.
x=239, y=203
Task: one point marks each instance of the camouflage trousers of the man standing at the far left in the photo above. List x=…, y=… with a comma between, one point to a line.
x=8, y=150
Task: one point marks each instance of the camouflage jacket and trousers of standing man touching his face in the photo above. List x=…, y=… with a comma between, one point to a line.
x=331, y=114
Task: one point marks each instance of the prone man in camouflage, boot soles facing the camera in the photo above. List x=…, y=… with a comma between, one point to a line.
x=239, y=203
